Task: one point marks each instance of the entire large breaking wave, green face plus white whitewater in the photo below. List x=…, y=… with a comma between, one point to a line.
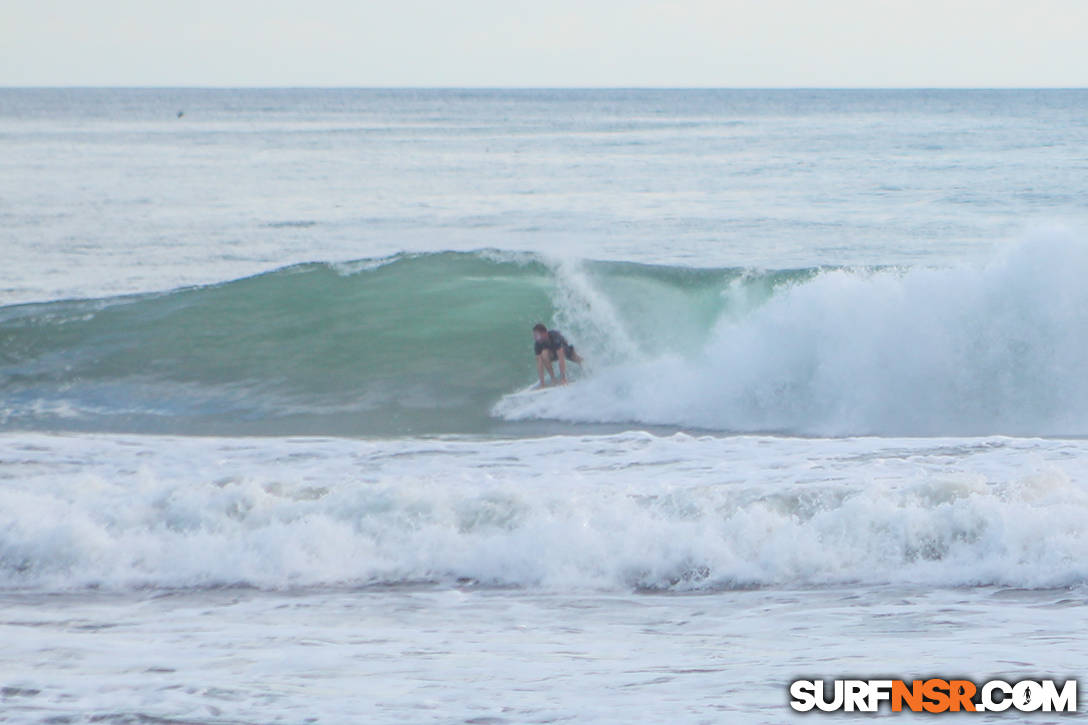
x=425, y=345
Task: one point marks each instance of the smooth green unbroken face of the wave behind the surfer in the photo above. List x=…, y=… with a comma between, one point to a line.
x=413, y=345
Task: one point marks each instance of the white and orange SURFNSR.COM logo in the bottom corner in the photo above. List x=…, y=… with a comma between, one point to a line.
x=934, y=696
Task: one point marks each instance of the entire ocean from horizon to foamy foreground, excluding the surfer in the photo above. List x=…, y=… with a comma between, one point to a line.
x=264, y=457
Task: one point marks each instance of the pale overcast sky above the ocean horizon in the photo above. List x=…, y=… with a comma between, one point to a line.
x=546, y=43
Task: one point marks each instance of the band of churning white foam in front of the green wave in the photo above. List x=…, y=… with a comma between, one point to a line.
x=617, y=512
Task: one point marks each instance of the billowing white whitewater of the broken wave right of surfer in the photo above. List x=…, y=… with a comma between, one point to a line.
x=965, y=351
